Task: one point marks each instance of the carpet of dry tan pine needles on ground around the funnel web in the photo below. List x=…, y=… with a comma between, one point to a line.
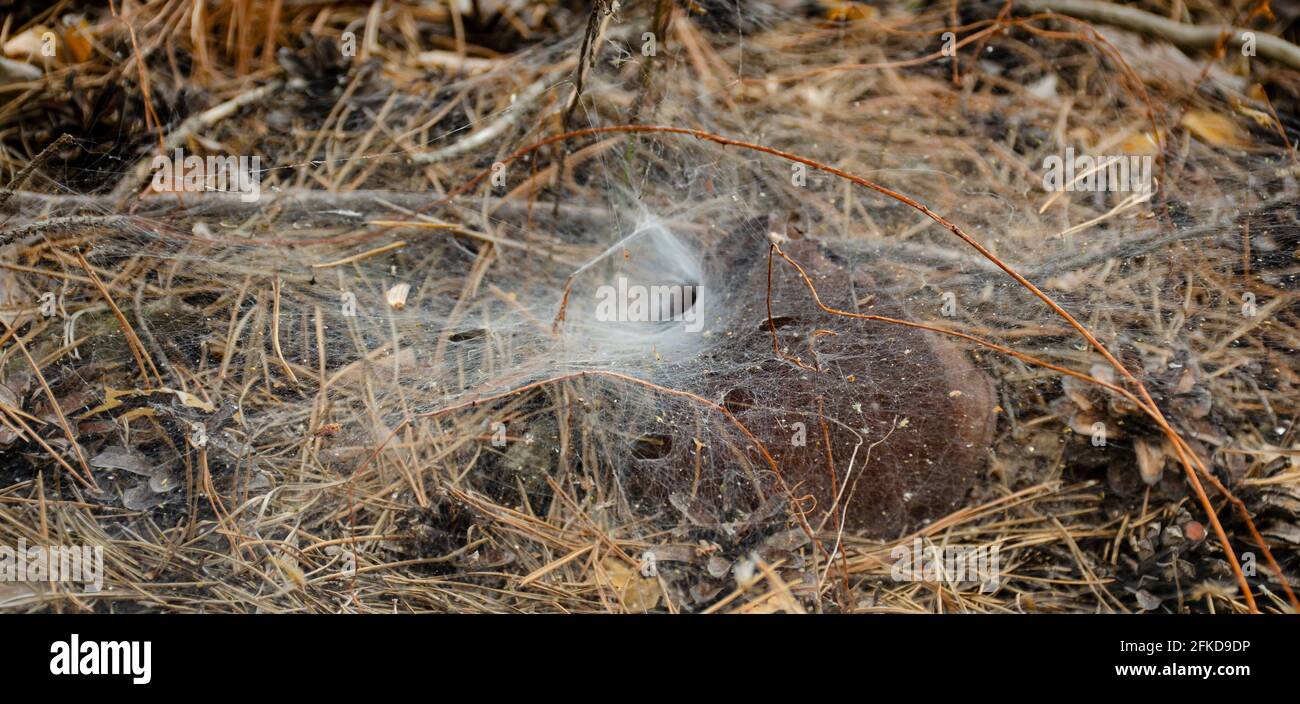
x=307, y=511
